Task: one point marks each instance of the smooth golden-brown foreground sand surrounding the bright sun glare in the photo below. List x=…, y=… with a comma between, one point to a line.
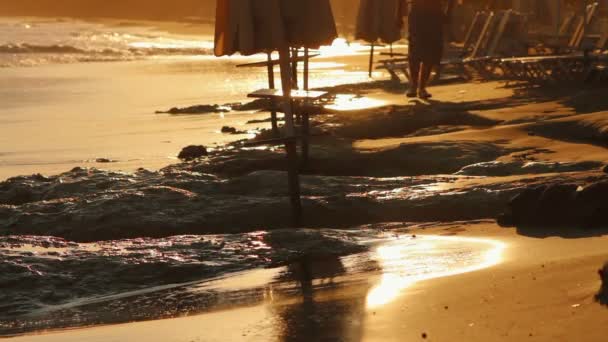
x=541, y=290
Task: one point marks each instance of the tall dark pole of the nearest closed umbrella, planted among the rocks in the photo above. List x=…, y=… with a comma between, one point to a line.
x=290, y=144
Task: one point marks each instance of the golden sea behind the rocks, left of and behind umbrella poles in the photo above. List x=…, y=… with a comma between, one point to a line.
x=73, y=92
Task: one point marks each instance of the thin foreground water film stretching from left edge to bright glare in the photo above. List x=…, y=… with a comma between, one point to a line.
x=390, y=265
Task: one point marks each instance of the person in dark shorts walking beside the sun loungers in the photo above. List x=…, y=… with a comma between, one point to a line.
x=427, y=22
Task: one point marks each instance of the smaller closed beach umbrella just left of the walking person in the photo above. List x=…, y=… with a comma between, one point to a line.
x=380, y=20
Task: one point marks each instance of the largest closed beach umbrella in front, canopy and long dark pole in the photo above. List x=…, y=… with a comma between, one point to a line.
x=252, y=26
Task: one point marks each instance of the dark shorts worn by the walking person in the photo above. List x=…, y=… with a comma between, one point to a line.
x=426, y=37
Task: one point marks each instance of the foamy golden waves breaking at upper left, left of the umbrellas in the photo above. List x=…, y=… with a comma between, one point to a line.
x=31, y=42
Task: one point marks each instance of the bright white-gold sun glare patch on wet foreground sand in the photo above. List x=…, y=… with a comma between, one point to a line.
x=405, y=262
